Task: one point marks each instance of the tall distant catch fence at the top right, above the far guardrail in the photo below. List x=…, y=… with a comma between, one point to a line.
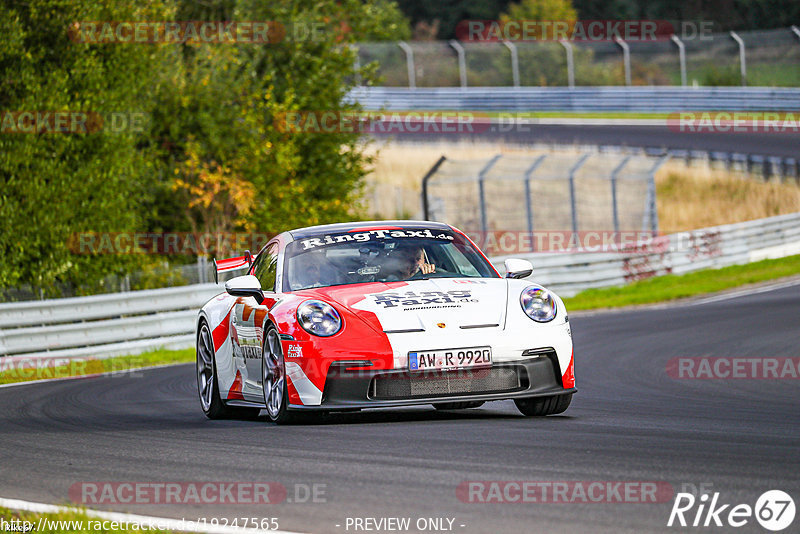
x=756, y=58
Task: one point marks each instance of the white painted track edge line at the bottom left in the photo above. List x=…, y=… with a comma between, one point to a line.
x=161, y=523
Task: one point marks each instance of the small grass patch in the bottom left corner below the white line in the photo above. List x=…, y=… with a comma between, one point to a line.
x=67, y=522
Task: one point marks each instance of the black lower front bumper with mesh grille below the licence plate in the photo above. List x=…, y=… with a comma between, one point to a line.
x=348, y=387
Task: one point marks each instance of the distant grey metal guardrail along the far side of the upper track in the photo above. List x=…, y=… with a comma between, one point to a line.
x=642, y=99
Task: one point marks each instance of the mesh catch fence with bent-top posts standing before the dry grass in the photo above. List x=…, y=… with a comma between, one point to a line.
x=547, y=192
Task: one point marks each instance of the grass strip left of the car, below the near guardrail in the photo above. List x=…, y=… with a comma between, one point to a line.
x=14, y=370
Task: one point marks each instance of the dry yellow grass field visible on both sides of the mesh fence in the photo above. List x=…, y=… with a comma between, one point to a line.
x=687, y=197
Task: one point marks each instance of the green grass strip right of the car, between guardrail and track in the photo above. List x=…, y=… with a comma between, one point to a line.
x=672, y=287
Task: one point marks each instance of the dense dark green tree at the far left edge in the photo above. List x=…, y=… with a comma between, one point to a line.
x=53, y=185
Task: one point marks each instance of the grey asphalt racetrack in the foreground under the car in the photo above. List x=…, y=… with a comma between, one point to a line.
x=630, y=421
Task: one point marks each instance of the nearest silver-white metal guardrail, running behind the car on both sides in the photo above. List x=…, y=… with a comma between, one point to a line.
x=125, y=323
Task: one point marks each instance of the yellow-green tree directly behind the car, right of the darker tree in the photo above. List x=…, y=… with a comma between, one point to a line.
x=228, y=100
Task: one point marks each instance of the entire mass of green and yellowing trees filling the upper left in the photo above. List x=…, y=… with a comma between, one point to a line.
x=210, y=155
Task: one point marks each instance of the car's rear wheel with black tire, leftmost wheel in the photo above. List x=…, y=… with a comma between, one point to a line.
x=207, y=386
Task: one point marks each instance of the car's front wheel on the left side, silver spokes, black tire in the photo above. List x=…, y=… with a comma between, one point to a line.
x=273, y=379
